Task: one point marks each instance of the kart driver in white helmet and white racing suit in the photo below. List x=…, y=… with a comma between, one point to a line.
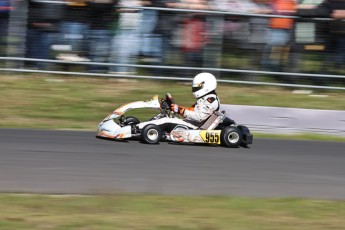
x=204, y=90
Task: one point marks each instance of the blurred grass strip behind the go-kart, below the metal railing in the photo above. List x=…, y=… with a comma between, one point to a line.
x=64, y=102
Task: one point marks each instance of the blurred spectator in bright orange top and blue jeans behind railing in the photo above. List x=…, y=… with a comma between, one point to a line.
x=280, y=32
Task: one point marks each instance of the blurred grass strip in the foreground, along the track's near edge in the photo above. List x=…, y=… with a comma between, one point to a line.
x=156, y=212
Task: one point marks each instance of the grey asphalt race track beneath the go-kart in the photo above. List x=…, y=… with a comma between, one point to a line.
x=37, y=161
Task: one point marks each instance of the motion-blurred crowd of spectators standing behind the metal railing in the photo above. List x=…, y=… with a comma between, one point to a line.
x=123, y=33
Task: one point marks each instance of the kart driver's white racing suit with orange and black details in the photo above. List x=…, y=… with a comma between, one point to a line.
x=201, y=110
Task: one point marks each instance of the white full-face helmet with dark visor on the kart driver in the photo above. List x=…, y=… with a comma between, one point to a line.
x=203, y=83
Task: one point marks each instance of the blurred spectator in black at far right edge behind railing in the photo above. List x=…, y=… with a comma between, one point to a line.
x=334, y=9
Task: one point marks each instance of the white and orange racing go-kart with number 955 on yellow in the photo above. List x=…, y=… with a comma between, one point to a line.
x=166, y=126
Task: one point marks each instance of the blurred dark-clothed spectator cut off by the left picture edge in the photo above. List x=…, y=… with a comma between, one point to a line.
x=5, y=7
